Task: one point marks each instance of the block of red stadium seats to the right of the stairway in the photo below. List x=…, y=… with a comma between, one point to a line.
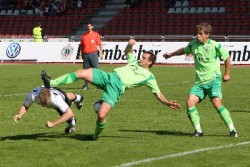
x=227, y=16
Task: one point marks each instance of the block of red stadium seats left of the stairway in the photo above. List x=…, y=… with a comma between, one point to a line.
x=19, y=22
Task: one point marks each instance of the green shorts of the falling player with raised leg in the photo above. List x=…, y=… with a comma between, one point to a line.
x=110, y=83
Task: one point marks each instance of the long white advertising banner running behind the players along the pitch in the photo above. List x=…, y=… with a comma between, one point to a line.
x=113, y=51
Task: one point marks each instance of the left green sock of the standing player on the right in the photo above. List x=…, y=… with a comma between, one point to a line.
x=194, y=118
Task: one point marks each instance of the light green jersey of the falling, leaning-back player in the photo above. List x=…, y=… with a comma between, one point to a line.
x=133, y=75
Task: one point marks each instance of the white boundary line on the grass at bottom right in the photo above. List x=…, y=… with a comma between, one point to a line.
x=180, y=154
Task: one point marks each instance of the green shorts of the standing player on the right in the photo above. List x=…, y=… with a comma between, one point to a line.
x=212, y=89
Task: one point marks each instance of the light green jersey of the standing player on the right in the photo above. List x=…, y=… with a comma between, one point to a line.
x=206, y=59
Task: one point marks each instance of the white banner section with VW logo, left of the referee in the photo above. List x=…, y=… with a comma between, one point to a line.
x=40, y=52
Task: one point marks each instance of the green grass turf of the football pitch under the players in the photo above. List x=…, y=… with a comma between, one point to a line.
x=139, y=127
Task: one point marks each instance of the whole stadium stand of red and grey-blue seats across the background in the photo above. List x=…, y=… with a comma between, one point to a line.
x=228, y=17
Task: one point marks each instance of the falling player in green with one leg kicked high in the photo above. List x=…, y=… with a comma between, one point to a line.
x=134, y=74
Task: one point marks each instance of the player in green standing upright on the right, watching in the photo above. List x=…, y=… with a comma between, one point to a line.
x=207, y=54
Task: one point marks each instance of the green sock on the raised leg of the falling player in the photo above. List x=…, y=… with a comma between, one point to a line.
x=65, y=79
